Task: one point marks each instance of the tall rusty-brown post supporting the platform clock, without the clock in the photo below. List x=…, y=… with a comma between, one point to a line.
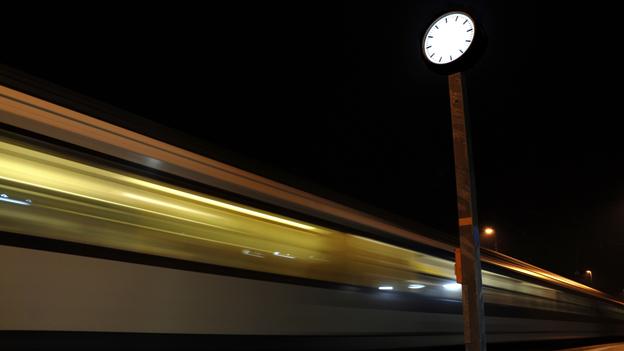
x=470, y=278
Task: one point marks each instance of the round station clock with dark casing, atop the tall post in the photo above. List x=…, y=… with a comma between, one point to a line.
x=451, y=41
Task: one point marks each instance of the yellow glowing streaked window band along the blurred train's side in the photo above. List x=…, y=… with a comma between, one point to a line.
x=53, y=197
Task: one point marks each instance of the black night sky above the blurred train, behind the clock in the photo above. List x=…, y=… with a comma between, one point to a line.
x=335, y=98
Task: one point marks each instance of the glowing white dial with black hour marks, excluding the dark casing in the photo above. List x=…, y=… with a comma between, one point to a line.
x=448, y=38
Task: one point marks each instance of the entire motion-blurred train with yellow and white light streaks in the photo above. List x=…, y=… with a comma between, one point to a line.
x=105, y=231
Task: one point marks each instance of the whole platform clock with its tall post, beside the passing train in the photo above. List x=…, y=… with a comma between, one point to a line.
x=452, y=43
